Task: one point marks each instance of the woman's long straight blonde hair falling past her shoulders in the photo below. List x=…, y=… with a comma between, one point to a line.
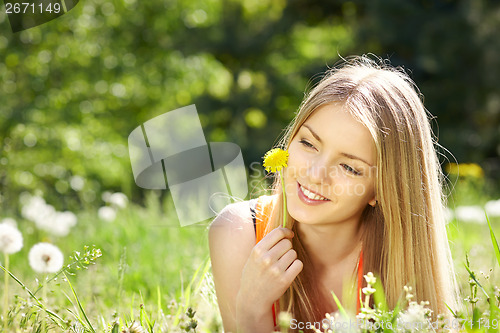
x=404, y=236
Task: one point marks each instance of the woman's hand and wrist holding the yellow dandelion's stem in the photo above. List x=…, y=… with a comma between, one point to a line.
x=269, y=271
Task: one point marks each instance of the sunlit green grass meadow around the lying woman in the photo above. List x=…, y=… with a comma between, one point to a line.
x=132, y=268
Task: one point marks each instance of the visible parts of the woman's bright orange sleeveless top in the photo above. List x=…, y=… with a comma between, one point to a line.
x=262, y=211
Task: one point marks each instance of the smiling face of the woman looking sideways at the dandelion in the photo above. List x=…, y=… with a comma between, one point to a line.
x=330, y=176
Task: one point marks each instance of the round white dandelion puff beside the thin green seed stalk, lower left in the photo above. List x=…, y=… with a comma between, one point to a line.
x=45, y=258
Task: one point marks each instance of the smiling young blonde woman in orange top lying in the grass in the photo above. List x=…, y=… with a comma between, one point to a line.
x=363, y=191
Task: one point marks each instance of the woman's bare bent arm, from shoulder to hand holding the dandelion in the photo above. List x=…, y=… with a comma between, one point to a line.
x=249, y=278
